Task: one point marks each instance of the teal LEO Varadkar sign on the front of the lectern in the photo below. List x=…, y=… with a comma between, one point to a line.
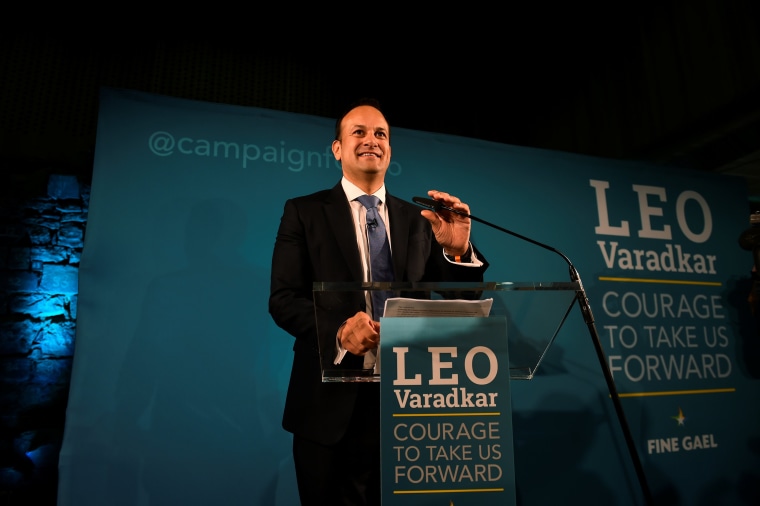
x=446, y=421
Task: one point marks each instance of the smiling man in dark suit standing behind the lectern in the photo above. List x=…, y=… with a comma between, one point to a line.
x=336, y=426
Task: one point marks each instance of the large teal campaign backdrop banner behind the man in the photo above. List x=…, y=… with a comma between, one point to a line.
x=179, y=374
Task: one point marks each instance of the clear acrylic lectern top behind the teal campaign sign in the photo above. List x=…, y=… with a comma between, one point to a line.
x=534, y=312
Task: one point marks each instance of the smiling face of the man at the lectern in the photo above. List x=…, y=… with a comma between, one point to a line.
x=364, y=148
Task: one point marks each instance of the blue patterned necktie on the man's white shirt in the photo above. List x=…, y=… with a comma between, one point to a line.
x=381, y=265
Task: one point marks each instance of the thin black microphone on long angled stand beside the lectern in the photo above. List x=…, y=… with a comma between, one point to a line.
x=588, y=317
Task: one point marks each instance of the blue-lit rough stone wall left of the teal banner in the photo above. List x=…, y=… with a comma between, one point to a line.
x=42, y=226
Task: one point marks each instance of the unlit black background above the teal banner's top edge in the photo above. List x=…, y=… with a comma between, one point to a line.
x=671, y=82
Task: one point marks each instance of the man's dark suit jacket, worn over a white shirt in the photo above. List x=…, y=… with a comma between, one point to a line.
x=316, y=242
